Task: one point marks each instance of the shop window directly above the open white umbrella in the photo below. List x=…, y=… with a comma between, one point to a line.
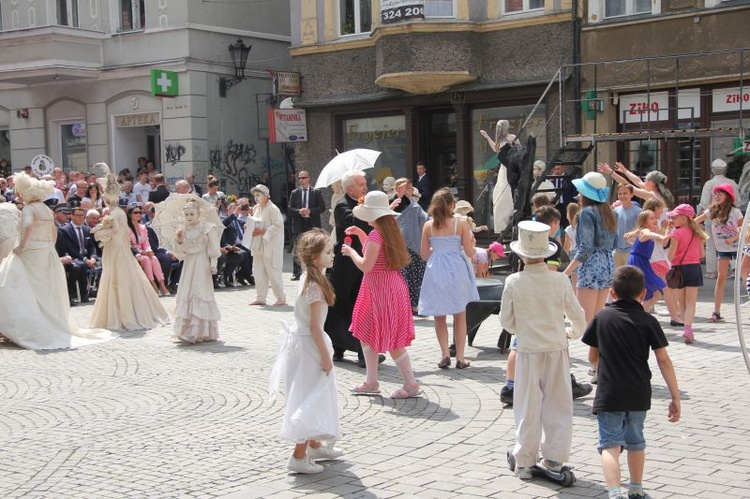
x=384, y=133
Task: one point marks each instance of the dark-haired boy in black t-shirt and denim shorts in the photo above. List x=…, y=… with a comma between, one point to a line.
x=619, y=339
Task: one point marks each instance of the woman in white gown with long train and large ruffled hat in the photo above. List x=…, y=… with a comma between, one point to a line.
x=33, y=291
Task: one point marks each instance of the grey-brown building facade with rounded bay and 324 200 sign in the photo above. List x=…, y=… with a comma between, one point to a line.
x=418, y=80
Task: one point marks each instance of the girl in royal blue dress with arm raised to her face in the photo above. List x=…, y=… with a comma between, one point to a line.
x=644, y=235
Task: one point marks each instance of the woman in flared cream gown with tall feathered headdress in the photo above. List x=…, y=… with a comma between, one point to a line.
x=125, y=300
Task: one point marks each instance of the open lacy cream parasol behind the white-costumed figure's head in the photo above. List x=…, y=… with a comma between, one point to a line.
x=169, y=217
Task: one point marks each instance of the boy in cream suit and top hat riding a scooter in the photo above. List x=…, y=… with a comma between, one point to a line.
x=543, y=402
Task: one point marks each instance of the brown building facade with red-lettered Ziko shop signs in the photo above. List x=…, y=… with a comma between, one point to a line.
x=671, y=80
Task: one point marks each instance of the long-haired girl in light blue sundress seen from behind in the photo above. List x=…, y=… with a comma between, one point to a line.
x=448, y=284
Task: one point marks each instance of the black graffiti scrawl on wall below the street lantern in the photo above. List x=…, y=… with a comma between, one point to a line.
x=234, y=164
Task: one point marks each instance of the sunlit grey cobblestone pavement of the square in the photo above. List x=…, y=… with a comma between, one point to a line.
x=141, y=416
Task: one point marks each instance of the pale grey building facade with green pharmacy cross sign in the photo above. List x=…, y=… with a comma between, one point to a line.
x=77, y=83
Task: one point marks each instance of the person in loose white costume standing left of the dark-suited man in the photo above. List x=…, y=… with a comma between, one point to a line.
x=267, y=248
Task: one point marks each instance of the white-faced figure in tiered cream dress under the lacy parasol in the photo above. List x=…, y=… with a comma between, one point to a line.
x=197, y=315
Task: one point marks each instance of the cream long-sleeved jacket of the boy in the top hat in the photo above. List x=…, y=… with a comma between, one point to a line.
x=539, y=318
